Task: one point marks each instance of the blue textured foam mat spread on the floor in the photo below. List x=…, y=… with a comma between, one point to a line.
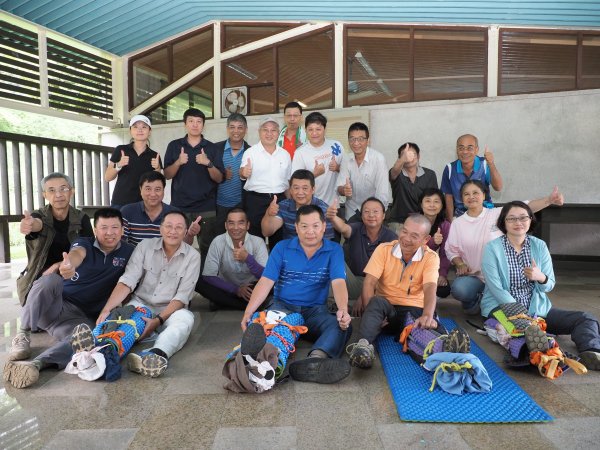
x=409, y=383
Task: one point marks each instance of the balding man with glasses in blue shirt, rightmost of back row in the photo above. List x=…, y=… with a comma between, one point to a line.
x=468, y=166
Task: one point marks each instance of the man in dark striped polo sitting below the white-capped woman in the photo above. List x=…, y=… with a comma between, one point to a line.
x=142, y=220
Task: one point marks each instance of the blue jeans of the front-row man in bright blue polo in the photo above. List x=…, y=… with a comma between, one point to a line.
x=323, y=327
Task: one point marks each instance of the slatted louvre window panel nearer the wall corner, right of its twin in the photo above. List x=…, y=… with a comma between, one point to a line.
x=79, y=81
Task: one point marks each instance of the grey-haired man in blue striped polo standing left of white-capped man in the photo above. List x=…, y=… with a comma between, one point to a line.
x=229, y=191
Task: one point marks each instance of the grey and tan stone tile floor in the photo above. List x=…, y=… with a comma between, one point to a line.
x=187, y=408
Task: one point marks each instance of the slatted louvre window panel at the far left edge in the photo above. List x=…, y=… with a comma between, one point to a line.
x=19, y=64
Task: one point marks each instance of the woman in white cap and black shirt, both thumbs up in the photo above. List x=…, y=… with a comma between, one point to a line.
x=128, y=162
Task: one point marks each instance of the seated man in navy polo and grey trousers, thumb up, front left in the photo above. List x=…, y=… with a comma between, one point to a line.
x=90, y=272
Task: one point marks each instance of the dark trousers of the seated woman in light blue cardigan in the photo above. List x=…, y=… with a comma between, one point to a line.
x=582, y=326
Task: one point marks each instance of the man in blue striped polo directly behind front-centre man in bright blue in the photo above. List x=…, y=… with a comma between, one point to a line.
x=283, y=214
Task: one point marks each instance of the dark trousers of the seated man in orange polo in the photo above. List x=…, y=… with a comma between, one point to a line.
x=380, y=309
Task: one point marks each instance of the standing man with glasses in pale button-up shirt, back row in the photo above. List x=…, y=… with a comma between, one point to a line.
x=363, y=174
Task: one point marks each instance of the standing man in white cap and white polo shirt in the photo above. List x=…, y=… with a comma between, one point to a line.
x=266, y=168
